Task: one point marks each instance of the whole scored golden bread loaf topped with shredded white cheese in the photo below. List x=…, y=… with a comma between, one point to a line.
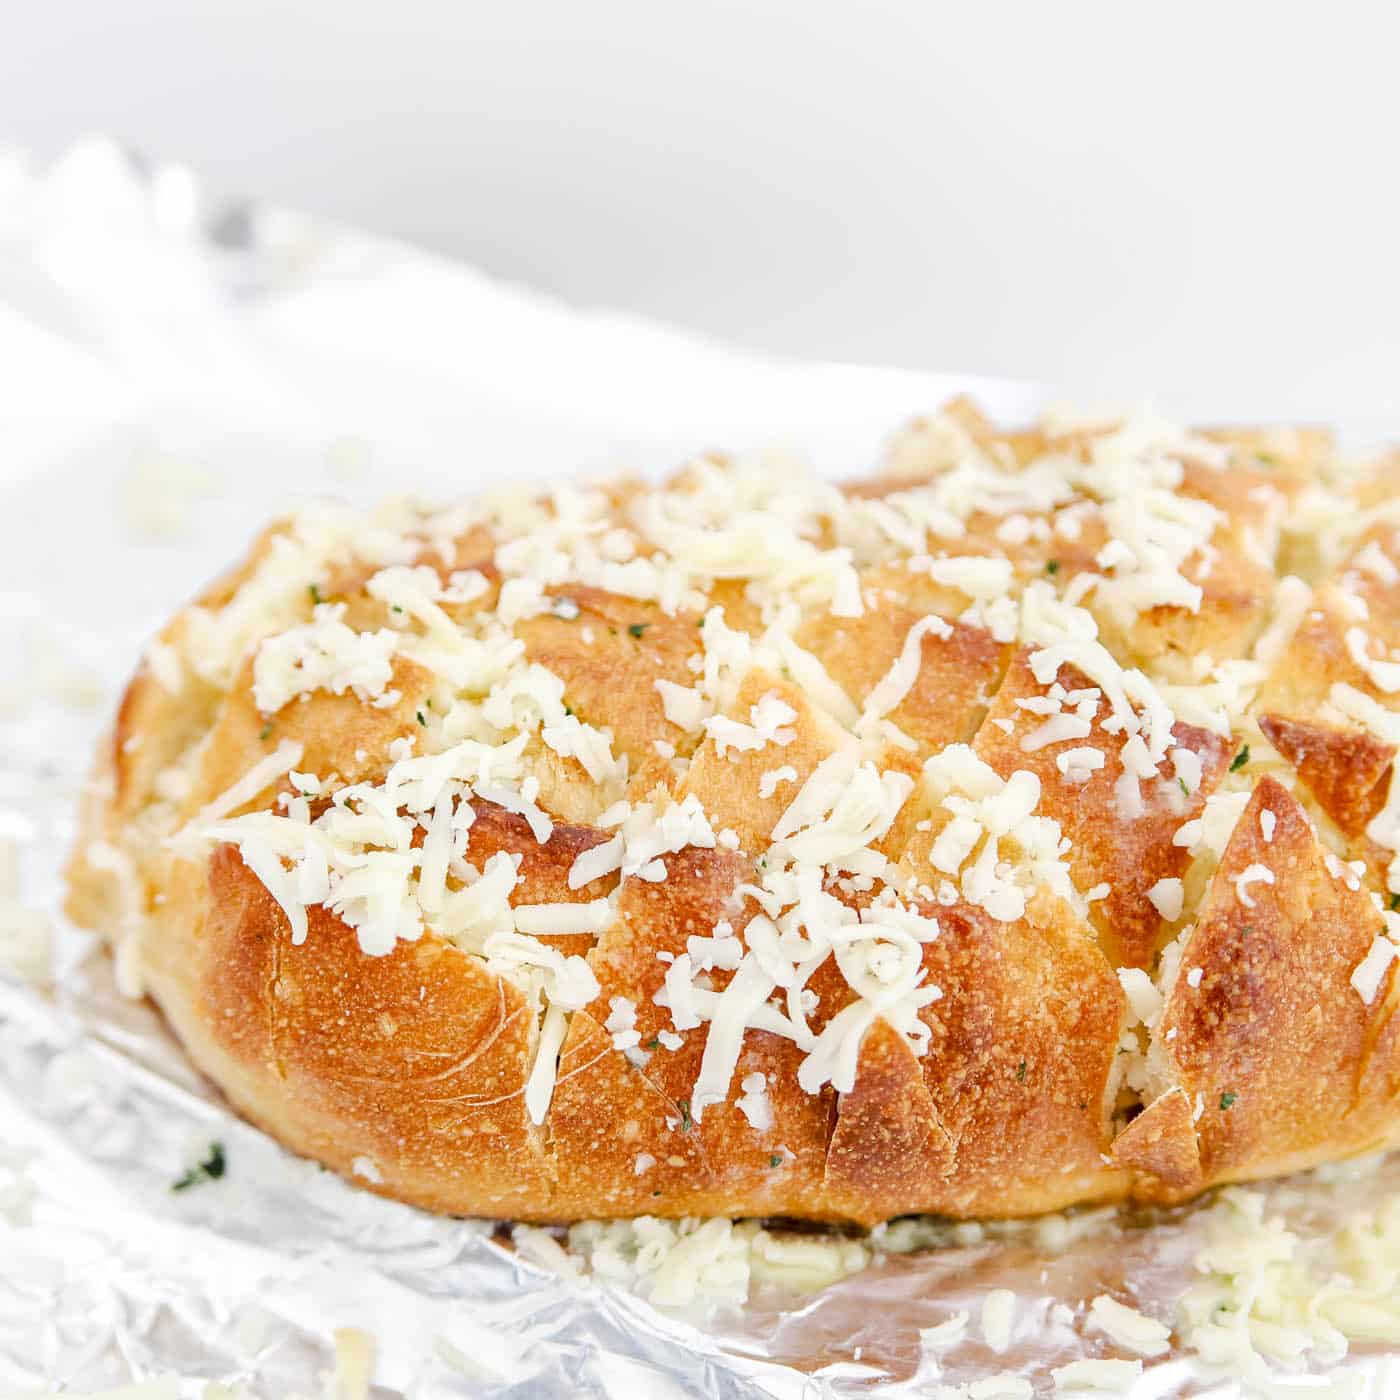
x=1011, y=831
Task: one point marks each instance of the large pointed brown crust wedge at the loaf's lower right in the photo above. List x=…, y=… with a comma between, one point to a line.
x=1269, y=1038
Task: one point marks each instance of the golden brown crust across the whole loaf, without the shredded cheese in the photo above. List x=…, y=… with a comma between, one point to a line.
x=409, y=1070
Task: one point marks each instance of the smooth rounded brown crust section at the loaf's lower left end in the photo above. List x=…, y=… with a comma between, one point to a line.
x=422, y=1051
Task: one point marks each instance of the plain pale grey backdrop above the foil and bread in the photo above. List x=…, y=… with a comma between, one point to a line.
x=1189, y=204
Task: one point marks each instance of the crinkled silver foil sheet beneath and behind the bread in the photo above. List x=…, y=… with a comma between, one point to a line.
x=174, y=372
